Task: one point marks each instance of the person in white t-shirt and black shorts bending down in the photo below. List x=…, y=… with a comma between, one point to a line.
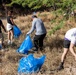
x=69, y=43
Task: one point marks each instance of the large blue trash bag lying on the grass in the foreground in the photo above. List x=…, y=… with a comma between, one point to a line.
x=29, y=64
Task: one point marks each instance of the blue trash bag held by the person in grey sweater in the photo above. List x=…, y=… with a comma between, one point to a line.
x=26, y=45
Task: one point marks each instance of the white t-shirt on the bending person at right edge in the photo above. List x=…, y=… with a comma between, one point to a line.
x=71, y=35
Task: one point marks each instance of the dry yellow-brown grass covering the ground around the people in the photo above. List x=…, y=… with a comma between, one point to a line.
x=53, y=48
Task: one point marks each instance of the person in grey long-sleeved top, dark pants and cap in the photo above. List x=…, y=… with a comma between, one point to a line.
x=40, y=33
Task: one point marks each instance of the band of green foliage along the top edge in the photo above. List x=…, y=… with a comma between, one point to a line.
x=37, y=4
